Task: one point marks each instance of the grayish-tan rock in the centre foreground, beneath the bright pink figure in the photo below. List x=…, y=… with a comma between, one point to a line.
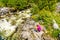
x=29, y=32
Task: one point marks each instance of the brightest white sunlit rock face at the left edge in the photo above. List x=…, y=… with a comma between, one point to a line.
x=6, y=28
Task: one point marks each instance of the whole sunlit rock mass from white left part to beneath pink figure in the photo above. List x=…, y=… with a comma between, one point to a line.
x=24, y=26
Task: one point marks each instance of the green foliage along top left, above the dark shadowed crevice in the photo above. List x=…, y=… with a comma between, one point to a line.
x=17, y=4
